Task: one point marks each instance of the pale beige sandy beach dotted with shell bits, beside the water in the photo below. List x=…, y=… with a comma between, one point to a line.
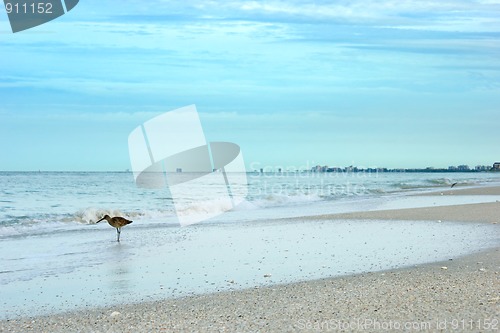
x=461, y=294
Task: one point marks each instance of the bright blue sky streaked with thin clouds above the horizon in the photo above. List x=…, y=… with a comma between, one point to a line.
x=295, y=83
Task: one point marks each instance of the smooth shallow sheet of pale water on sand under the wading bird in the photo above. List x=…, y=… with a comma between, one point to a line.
x=39, y=275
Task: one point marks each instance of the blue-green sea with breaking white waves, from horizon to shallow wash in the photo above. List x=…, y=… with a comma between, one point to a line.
x=33, y=203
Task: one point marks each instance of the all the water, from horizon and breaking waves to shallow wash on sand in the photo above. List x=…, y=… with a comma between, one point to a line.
x=55, y=258
